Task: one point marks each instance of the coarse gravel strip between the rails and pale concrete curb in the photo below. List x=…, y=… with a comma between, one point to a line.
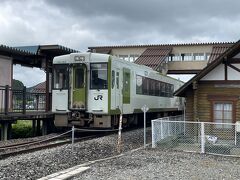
x=42, y=163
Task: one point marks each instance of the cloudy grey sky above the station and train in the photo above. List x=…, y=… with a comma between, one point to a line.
x=79, y=24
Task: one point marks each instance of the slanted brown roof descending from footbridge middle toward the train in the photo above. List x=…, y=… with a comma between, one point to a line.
x=153, y=57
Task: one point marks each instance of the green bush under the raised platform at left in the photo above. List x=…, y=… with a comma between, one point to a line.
x=22, y=129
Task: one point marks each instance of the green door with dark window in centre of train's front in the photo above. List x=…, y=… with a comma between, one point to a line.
x=79, y=87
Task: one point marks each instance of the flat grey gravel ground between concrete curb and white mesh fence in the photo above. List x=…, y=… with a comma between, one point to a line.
x=158, y=164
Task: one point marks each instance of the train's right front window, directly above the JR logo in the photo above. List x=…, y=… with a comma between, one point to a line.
x=99, y=76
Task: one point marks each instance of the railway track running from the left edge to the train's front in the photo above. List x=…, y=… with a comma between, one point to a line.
x=26, y=147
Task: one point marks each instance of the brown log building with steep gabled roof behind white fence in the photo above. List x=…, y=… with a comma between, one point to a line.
x=213, y=95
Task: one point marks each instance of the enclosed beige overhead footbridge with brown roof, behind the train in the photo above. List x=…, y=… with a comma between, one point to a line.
x=168, y=58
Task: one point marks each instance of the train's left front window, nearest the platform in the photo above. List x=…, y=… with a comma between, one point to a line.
x=60, y=77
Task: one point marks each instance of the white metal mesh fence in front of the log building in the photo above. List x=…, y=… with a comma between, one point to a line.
x=201, y=137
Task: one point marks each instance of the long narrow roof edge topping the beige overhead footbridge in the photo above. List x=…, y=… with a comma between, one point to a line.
x=160, y=45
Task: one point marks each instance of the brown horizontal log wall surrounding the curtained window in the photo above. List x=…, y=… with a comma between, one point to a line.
x=207, y=93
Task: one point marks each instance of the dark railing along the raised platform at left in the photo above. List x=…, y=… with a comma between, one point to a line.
x=20, y=101
